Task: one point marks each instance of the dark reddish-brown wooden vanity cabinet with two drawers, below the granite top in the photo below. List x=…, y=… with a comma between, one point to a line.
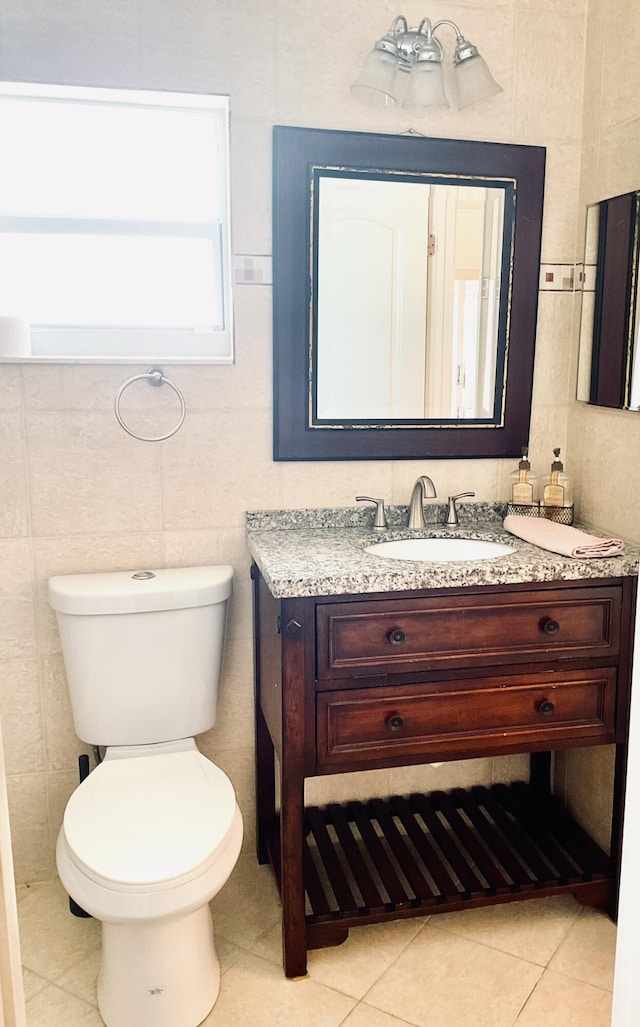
x=364, y=682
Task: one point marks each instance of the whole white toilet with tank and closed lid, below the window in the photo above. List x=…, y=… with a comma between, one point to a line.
x=154, y=833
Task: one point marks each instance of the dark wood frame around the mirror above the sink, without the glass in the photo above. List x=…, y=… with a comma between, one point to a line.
x=296, y=153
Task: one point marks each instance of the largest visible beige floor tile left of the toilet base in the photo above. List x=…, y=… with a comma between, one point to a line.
x=53, y=941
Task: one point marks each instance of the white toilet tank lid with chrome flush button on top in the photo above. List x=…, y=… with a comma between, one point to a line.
x=138, y=592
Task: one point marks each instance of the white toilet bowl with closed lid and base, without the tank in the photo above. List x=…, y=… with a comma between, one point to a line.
x=147, y=841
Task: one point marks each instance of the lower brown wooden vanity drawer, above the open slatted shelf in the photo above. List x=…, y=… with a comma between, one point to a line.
x=460, y=721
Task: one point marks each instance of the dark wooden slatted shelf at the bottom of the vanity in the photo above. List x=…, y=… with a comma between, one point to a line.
x=366, y=862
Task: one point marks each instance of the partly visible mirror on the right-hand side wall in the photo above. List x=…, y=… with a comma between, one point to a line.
x=610, y=343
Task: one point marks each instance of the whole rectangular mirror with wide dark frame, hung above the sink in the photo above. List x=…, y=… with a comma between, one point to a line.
x=405, y=295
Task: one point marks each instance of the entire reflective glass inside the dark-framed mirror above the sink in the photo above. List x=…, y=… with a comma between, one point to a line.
x=408, y=287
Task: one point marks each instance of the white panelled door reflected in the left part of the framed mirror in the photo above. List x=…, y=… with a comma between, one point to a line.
x=371, y=299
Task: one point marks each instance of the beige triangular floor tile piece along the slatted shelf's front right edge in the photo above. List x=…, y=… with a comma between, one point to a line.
x=531, y=931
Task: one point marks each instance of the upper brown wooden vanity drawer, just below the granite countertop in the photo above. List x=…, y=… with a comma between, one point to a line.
x=466, y=631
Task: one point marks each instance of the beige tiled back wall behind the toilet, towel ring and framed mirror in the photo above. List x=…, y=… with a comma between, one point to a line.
x=79, y=495
